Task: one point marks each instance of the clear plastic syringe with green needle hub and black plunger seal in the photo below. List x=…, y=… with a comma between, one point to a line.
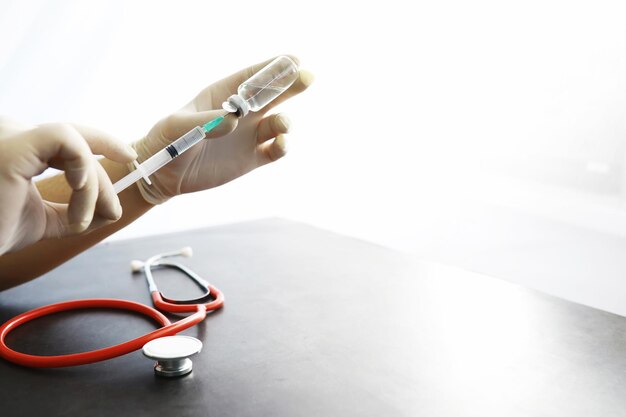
x=165, y=155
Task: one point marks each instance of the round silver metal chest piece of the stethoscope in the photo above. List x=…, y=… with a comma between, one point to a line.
x=172, y=354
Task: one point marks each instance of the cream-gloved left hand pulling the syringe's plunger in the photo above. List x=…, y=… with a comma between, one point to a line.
x=26, y=151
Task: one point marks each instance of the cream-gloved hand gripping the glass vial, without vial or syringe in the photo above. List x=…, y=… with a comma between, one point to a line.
x=245, y=144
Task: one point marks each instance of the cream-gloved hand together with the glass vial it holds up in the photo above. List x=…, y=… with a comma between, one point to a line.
x=249, y=143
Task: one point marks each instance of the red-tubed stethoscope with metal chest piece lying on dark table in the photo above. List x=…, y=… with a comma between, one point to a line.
x=171, y=352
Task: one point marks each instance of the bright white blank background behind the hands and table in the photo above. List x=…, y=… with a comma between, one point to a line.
x=485, y=134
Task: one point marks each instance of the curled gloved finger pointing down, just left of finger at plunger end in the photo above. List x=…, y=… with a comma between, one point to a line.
x=83, y=200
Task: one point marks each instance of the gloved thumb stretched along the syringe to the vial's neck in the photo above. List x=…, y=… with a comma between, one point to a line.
x=181, y=122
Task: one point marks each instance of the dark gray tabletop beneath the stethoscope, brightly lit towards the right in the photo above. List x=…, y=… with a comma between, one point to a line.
x=317, y=324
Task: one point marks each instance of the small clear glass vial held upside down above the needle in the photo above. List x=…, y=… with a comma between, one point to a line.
x=263, y=87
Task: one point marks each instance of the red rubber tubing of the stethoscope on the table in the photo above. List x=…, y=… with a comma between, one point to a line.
x=84, y=358
